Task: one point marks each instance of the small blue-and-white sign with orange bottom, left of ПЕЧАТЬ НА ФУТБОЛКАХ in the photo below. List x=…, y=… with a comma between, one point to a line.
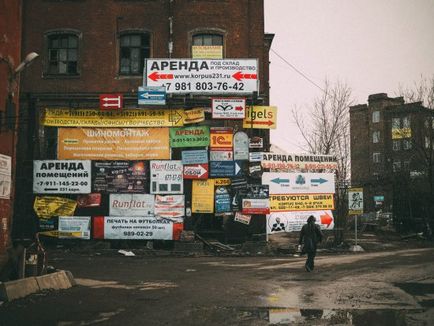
x=74, y=227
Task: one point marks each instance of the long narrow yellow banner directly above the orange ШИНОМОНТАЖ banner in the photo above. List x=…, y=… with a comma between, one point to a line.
x=121, y=118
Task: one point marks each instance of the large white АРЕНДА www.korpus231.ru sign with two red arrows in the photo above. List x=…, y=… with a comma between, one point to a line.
x=228, y=76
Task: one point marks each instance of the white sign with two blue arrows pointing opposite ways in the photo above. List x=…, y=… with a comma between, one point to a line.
x=298, y=183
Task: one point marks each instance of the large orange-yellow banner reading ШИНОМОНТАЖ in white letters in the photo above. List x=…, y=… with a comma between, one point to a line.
x=113, y=144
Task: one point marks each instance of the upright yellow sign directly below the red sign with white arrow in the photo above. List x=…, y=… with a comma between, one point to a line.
x=203, y=196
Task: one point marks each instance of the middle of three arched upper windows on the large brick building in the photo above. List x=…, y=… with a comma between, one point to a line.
x=134, y=48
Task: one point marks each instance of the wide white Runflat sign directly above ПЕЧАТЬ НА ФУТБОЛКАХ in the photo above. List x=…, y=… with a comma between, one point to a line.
x=131, y=205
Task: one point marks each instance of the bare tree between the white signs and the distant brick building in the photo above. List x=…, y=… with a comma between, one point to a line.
x=325, y=129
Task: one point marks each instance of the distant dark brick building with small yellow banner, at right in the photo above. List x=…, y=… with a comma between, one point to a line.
x=392, y=156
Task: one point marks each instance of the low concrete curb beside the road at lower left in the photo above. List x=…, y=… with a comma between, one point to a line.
x=20, y=288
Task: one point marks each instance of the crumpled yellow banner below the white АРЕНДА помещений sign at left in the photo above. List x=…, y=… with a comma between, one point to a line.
x=46, y=207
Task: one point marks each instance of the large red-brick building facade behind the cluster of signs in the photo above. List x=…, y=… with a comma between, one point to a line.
x=95, y=47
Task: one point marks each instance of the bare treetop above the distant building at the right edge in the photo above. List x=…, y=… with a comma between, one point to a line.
x=422, y=91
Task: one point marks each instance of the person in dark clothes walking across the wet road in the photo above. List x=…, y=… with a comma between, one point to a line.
x=310, y=235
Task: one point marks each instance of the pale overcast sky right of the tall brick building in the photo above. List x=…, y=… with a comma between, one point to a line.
x=372, y=45
